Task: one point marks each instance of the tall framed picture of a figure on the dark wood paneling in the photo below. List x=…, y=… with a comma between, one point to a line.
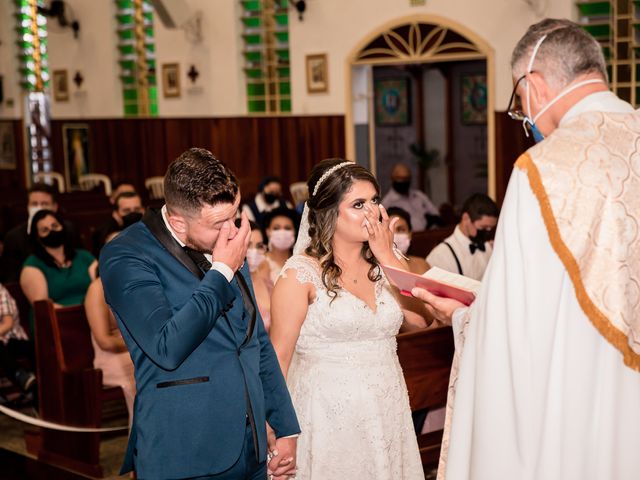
x=75, y=137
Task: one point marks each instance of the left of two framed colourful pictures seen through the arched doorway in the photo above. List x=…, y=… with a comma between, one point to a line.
x=392, y=102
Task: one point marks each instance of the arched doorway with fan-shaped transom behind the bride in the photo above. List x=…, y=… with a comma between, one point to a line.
x=419, y=46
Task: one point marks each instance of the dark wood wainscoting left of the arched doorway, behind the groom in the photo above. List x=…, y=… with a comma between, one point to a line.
x=134, y=149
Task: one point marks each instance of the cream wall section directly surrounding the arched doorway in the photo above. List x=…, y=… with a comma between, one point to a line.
x=336, y=27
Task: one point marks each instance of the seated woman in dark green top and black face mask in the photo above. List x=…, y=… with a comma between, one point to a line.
x=56, y=270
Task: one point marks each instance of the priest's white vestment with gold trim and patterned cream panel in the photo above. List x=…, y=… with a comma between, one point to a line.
x=545, y=383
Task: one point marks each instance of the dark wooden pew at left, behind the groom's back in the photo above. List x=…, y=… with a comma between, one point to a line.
x=70, y=390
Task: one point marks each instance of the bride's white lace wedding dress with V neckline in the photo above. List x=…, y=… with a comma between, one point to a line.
x=348, y=389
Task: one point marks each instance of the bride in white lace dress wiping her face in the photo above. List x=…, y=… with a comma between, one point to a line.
x=334, y=321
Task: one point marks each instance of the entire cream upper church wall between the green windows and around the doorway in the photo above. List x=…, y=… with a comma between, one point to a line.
x=334, y=27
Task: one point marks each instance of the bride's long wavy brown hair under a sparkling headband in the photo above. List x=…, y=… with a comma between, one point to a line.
x=323, y=214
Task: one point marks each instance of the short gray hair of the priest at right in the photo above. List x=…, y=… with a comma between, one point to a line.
x=566, y=53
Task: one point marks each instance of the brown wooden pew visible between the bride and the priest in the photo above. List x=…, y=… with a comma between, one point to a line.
x=425, y=357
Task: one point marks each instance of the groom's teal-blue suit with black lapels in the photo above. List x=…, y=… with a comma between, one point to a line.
x=204, y=365
